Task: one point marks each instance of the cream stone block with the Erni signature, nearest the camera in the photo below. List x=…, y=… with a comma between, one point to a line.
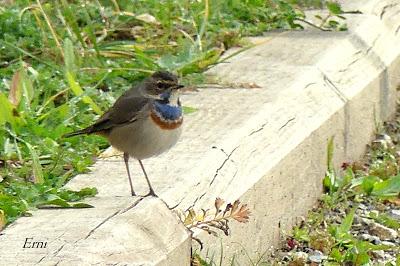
x=124, y=230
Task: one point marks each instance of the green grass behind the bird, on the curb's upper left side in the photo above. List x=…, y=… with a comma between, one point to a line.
x=63, y=63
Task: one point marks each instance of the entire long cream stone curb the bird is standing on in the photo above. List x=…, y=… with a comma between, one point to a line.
x=266, y=146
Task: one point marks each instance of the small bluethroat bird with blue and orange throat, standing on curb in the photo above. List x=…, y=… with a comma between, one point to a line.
x=145, y=121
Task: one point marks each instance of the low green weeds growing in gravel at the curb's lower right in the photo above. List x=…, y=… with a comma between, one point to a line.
x=375, y=181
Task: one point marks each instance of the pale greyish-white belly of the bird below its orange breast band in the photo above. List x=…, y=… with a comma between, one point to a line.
x=143, y=139
